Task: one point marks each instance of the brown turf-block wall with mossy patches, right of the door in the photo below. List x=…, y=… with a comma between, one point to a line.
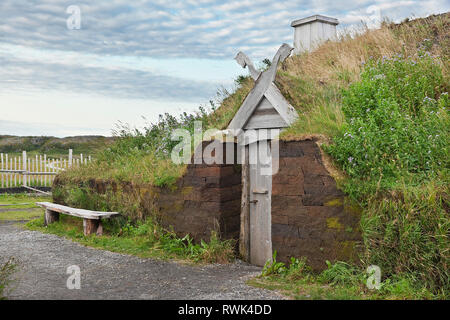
x=311, y=217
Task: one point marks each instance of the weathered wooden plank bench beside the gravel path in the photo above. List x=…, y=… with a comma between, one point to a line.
x=92, y=222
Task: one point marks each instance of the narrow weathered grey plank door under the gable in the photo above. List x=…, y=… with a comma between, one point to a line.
x=260, y=174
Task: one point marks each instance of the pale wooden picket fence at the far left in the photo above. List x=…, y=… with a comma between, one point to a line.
x=38, y=170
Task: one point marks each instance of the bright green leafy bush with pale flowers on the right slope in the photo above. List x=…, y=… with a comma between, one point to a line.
x=397, y=120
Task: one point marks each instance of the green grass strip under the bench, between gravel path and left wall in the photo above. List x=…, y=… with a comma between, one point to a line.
x=145, y=240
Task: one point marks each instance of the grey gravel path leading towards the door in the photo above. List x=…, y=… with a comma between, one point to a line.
x=108, y=275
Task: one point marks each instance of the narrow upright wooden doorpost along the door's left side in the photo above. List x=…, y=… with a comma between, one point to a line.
x=244, y=237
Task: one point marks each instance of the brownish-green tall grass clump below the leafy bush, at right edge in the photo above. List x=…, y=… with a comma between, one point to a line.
x=406, y=232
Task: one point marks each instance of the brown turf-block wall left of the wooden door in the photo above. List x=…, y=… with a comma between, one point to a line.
x=207, y=198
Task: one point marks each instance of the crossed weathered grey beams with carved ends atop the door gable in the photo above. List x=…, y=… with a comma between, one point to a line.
x=264, y=87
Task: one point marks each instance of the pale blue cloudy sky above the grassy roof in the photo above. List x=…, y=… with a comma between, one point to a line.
x=141, y=58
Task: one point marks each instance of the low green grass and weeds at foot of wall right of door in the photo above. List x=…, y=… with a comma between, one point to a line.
x=340, y=281
